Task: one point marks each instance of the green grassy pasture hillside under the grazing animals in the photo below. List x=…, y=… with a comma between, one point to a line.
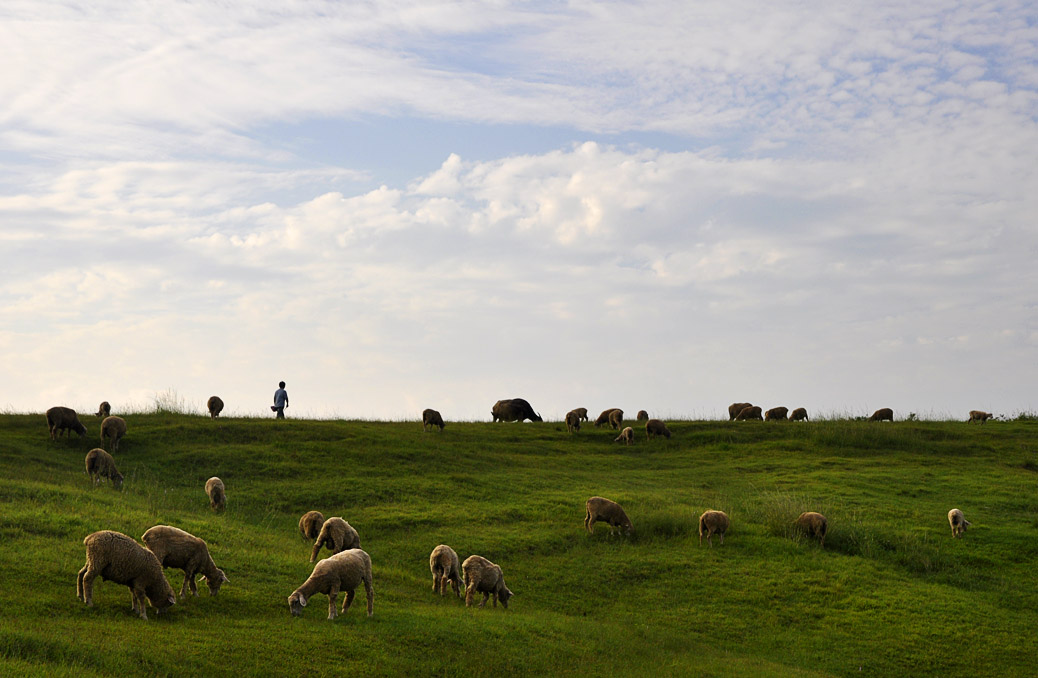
x=891, y=594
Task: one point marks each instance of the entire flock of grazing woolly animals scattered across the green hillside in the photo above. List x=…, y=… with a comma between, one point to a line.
x=118, y=558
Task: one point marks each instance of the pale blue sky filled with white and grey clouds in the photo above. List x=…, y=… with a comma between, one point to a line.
x=395, y=205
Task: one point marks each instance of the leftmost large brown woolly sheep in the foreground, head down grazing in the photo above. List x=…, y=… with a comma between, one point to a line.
x=120, y=559
